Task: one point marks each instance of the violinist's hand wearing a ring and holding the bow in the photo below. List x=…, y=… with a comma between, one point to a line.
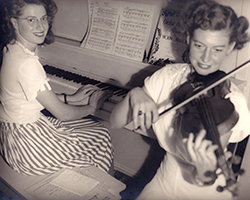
x=144, y=109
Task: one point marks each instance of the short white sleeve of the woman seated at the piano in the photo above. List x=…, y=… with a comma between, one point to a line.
x=32, y=78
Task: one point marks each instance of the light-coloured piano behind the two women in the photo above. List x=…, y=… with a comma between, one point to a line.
x=69, y=66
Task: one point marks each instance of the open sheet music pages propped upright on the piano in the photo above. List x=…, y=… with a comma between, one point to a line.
x=119, y=28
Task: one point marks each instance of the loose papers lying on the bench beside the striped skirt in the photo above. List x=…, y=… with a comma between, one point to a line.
x=76, y=184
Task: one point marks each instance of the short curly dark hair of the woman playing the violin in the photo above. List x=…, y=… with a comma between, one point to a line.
x=210, y=15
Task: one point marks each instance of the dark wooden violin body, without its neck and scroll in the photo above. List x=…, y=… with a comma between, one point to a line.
x=221, y=110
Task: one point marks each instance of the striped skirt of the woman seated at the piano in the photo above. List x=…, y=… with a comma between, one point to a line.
x=48, y=145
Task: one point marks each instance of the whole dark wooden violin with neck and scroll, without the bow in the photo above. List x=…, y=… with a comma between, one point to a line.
x=210, y=111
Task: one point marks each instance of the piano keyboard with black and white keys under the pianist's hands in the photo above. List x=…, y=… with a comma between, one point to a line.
x=67, y=82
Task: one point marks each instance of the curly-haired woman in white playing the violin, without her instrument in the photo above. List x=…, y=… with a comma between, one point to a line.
x=213, y=32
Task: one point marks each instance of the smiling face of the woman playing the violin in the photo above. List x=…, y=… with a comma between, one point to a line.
x=208, y=48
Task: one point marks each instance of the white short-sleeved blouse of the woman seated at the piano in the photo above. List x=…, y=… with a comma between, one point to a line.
x=22, y=76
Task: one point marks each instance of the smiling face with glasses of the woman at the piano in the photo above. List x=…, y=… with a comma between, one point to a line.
x=32, y=26
